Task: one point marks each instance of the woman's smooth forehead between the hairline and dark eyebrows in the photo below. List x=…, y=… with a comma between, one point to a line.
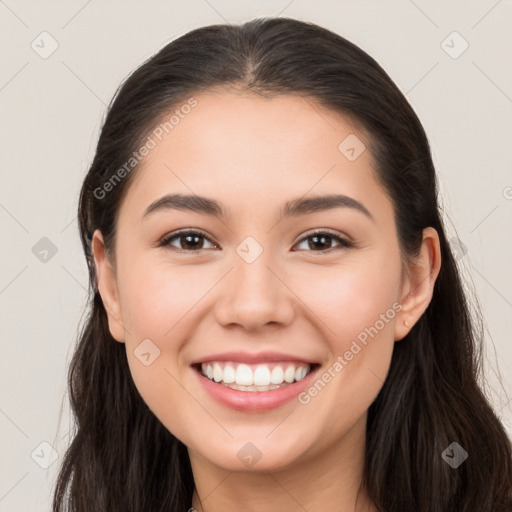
x=240, y=147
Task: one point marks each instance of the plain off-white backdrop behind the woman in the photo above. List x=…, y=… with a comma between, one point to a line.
x=61, y=63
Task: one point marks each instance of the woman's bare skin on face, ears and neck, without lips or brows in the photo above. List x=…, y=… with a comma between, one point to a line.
x=253, y=154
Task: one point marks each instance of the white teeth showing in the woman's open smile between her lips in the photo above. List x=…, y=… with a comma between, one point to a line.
x=254, y=377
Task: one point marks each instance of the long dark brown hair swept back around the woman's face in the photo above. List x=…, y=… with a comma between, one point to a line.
x=121, y=458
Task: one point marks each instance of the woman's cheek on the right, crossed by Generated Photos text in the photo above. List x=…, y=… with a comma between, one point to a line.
x=358, y=308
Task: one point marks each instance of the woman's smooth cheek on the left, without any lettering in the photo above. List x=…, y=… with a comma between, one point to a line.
x=156, y=302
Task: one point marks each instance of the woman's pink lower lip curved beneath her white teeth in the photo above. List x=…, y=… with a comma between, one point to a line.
x=255, y=401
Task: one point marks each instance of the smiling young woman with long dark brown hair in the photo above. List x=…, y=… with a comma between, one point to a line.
x=277, y=321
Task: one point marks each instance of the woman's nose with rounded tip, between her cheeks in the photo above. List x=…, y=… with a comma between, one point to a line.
x=255, y=294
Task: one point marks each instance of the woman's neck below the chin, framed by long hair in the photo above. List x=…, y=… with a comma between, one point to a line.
x=328, y=481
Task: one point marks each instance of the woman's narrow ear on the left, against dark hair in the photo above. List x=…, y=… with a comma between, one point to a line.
x=107, y=287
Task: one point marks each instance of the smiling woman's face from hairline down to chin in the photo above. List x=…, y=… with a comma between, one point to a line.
x=253, y=291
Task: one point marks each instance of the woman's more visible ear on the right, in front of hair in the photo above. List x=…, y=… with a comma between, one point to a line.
x=418, y=287
